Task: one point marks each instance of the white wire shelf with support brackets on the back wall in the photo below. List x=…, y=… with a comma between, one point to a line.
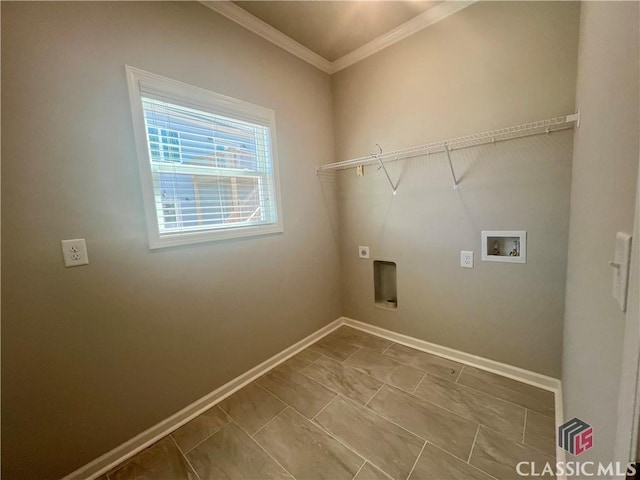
x=508, y=133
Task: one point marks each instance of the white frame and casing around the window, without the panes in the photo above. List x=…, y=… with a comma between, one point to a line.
x=204, y=100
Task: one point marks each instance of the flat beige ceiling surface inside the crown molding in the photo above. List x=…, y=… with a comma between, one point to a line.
x=333, y=29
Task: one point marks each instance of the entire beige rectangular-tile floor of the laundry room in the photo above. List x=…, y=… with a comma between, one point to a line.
x=356, y=406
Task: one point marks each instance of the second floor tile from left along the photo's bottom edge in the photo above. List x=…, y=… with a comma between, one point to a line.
x=232, y=454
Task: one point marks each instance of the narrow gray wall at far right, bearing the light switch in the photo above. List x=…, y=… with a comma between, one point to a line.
x=605, y=163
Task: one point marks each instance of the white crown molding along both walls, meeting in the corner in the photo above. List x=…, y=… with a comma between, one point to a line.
x=266, y=31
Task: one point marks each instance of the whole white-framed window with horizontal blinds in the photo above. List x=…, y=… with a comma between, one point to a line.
x=207, y=162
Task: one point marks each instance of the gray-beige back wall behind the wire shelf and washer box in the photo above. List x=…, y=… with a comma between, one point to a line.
x=491, y=65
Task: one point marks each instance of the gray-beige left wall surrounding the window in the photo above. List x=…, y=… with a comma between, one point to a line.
x=92, y=356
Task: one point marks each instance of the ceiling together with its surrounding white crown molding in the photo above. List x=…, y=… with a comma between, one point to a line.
x=333, y=35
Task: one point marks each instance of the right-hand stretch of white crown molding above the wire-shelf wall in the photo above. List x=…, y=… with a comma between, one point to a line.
x=420, y=22
